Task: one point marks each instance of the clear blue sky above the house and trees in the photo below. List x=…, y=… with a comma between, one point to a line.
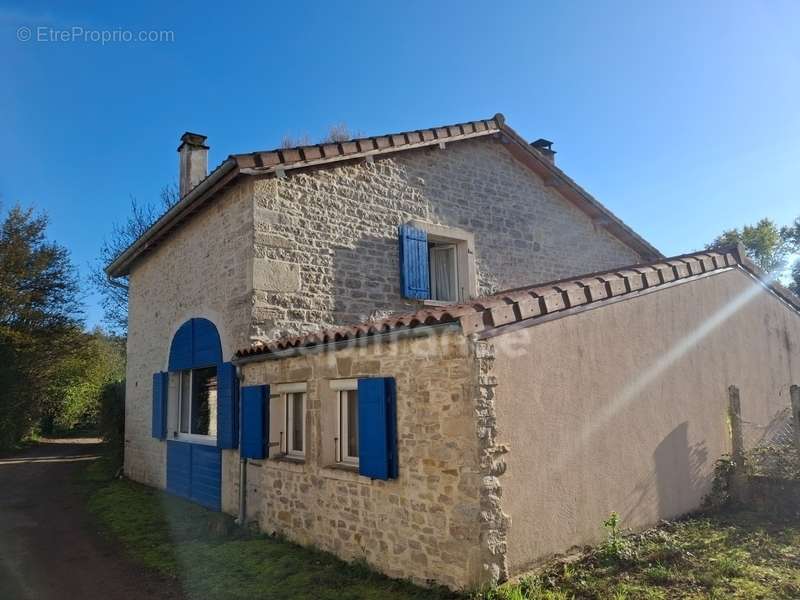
x=682, y=117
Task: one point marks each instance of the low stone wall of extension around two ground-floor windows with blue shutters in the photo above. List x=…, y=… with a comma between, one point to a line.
x=425, y=525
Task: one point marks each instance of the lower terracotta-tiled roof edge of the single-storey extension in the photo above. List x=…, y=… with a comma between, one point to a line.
x=526, y=305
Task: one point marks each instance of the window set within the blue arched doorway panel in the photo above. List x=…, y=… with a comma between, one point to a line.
x=197, y=406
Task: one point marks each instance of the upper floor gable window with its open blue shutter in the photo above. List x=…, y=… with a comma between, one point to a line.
x=436, y=263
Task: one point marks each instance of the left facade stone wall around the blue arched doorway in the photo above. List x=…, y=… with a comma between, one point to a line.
x=200, y=271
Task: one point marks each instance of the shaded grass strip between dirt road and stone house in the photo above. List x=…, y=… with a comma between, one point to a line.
x=213, y=560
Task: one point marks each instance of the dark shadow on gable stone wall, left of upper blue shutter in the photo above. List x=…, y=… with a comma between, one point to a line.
x=366, y=280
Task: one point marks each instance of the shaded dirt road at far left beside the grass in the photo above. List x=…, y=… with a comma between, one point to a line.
x=48, y=547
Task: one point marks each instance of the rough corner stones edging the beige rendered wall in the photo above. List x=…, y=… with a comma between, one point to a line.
x=494, y=523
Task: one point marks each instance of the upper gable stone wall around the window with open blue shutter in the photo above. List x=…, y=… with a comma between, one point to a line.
x=326, y=239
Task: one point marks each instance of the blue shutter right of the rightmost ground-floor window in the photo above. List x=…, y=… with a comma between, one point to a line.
x=377, y=428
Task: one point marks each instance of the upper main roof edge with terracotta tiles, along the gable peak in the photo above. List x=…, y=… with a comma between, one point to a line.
x=277, y=162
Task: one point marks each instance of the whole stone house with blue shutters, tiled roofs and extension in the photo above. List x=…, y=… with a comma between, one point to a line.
x=317, y=343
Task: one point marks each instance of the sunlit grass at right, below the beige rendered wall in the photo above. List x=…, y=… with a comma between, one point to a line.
x=734, y=555
